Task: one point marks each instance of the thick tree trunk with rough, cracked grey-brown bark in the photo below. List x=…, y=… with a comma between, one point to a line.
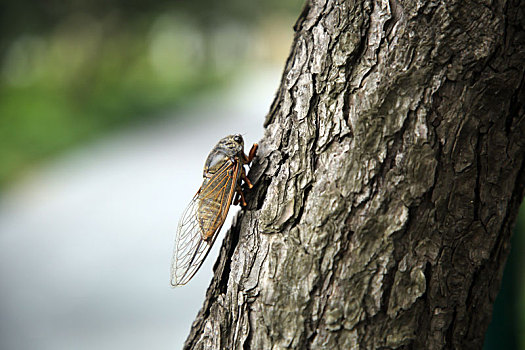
x=386, y=185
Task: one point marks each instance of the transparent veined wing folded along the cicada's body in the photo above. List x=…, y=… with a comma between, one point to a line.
x=202, y=220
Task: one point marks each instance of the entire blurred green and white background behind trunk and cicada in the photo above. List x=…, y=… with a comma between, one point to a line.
x=107, y=112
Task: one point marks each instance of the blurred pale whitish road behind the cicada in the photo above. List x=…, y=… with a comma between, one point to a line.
x=86, y=241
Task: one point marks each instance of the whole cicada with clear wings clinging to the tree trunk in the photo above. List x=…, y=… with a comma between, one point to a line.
x=203, y=218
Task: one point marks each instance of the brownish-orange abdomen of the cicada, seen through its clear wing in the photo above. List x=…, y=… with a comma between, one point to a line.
x=221, y=177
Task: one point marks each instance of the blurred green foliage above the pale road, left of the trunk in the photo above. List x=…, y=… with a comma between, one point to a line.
x=71, y=71
